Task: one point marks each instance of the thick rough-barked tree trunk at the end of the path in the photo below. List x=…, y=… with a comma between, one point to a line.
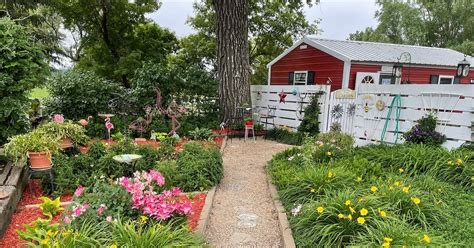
x=233, y=66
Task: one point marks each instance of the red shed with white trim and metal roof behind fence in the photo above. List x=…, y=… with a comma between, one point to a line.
x=343, y=64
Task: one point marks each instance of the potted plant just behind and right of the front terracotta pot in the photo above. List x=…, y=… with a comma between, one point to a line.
x=67, y=132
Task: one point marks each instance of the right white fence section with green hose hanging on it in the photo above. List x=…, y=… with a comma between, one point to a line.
x=453, y=105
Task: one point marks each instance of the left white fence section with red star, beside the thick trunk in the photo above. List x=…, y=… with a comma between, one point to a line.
x=288, y=113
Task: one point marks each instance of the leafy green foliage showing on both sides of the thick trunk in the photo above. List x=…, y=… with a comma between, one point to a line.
x=273, y=27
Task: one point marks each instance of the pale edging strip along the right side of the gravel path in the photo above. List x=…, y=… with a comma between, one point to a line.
x=286, y=234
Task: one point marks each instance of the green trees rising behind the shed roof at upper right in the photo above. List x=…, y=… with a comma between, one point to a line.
x=441, y=23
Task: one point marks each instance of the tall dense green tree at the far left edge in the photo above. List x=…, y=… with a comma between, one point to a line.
x=22, y=67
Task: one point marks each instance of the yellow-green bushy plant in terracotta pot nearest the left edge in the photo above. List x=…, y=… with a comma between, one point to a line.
x=37, y=145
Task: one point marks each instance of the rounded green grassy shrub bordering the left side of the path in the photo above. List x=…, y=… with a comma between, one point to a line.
x=199, y=167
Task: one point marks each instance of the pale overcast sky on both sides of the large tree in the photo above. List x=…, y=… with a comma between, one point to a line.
x=339, y=18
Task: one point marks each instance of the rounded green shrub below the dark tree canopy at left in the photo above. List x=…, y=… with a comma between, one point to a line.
x=78, y=94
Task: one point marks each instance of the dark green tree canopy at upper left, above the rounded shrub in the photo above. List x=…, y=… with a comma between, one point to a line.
x=116, y=36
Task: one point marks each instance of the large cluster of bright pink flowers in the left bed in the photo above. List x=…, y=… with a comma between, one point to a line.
x=157, y=205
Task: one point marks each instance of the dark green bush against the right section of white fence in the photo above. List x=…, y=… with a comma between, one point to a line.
x=424, y=132
